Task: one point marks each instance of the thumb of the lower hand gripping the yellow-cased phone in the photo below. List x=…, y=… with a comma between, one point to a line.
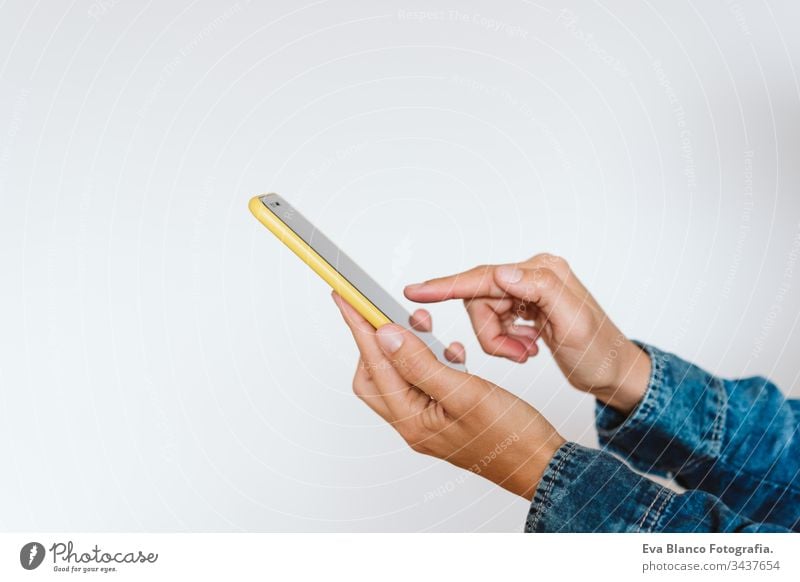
x=417, y=365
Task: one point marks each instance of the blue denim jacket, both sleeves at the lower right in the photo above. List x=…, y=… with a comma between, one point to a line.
x=734, y=445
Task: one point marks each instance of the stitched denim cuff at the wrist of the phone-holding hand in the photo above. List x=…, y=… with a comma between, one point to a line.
x=585, y=490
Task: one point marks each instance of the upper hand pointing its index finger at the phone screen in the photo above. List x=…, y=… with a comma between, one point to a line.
x=512, y=306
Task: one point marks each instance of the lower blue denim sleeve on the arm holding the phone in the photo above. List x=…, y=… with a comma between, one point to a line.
x=585, y=490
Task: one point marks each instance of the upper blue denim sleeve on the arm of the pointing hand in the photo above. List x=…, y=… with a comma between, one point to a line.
x=735, y=439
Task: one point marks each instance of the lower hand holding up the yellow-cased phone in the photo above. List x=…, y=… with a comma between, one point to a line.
x=452, y=415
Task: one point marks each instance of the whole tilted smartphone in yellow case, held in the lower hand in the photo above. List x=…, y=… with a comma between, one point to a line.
x=336, y=268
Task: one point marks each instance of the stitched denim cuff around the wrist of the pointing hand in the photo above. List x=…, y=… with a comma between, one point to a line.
x=677, y=426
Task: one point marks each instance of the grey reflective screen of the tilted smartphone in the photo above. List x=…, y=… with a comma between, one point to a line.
x=348, y=269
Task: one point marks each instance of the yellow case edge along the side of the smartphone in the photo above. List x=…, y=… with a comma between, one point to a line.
x=320, y=266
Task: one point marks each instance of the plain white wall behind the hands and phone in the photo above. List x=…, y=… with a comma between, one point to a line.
x=166, y=365
